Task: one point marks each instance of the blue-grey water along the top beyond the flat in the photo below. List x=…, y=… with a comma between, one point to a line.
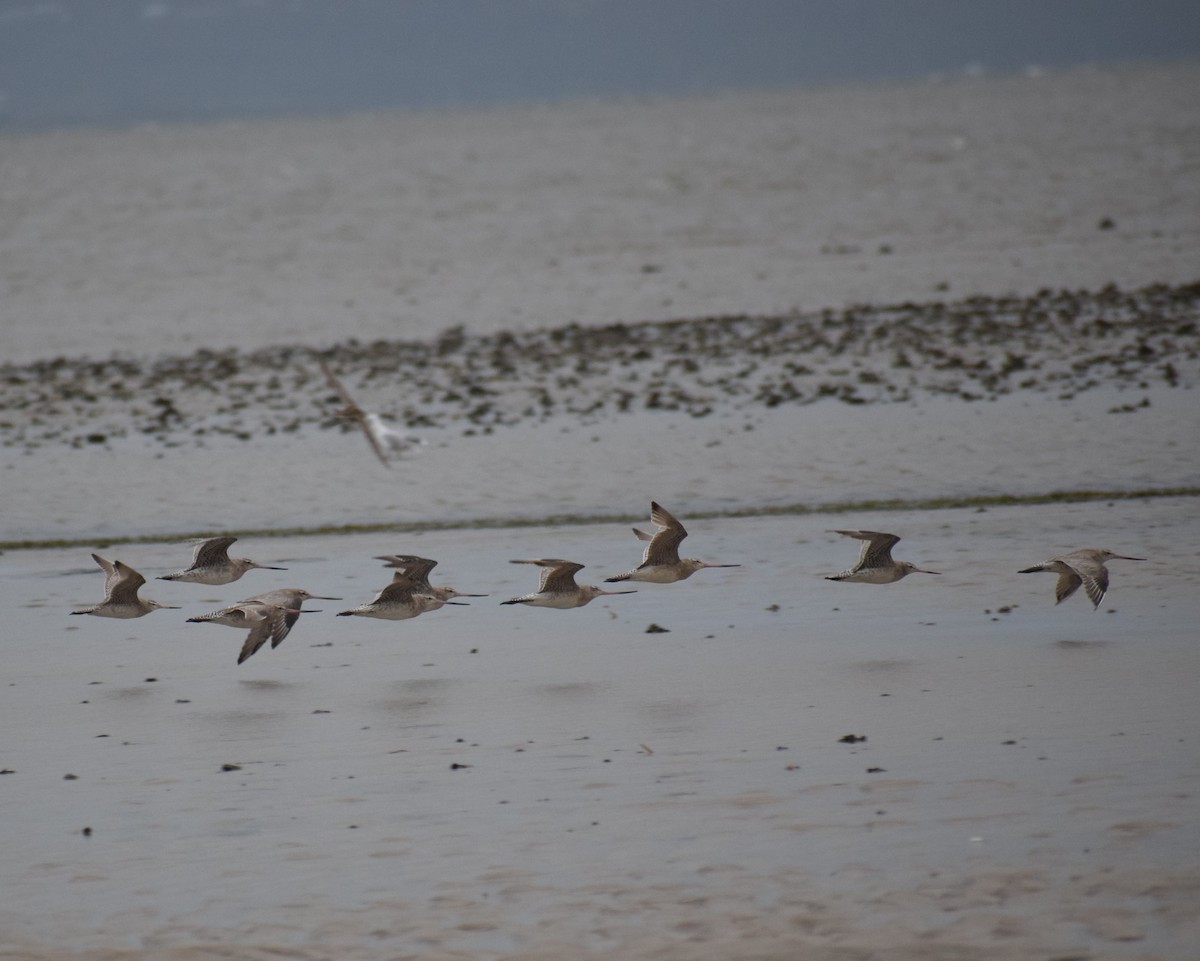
x=125, y=62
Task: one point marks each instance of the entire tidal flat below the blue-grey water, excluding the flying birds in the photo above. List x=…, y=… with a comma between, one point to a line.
x=961, y=311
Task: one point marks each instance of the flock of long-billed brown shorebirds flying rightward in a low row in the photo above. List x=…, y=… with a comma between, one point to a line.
x=272, y=616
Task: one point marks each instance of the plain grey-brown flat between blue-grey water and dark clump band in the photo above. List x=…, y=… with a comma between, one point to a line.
x=175, y=239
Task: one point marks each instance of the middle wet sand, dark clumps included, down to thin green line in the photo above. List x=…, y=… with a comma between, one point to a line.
x=1065, y=394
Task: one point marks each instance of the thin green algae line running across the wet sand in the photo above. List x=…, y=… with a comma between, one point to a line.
x=979, y=502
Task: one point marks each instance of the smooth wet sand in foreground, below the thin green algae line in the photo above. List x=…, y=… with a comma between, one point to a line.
x=511, y=783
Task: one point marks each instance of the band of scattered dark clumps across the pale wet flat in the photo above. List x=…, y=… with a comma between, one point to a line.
x=1060, y=343
